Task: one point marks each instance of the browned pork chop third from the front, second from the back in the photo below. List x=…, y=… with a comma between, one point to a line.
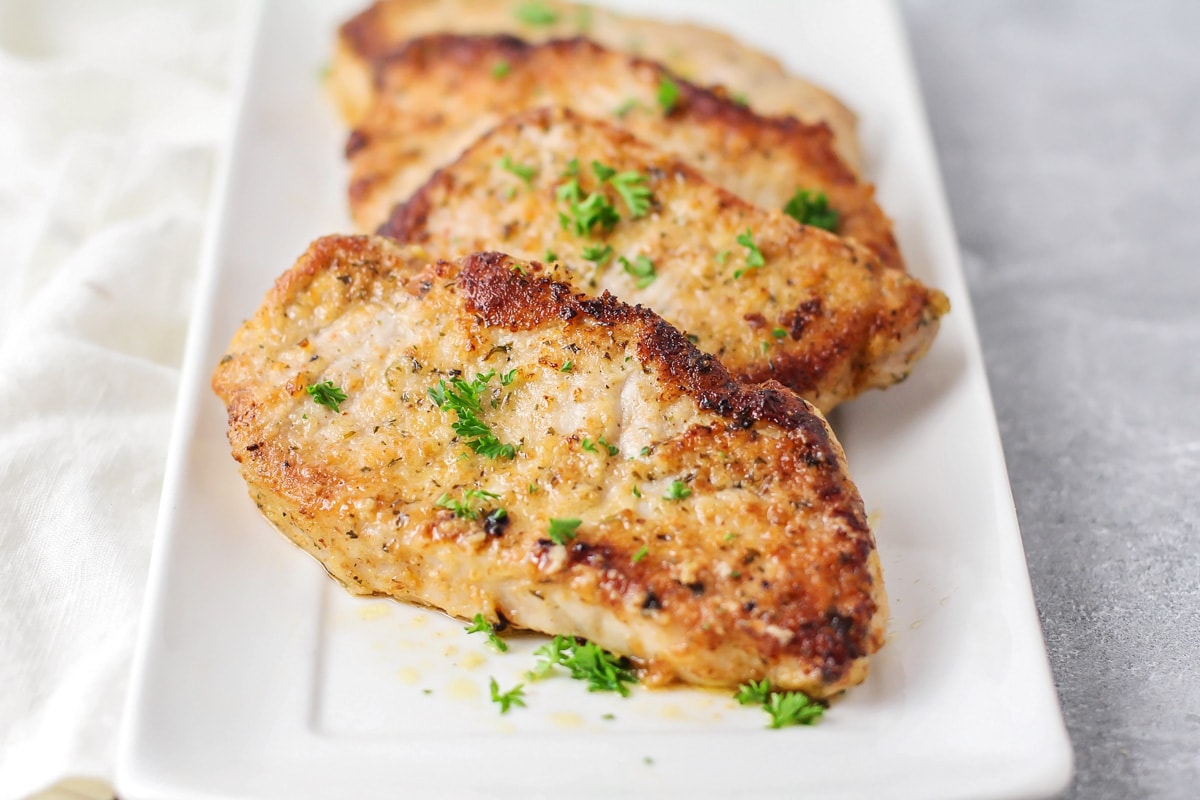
x=439, y=95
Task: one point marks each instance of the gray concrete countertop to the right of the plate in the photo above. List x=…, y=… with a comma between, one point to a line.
x=1070, y=140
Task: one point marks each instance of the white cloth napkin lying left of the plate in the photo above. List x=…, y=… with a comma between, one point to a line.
x=112, y=119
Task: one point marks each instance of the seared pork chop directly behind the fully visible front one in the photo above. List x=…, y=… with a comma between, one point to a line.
x=821, y=316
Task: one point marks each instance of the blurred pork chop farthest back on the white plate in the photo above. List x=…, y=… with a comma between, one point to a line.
x=704, y=56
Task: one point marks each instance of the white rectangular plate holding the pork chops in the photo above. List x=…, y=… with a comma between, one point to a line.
x=257, y=677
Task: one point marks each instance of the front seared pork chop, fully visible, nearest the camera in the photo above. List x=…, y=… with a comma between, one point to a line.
x=719, y=538
